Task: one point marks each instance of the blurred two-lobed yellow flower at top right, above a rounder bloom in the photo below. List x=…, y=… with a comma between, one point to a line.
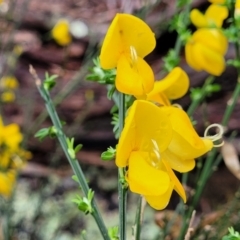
x=213, y=17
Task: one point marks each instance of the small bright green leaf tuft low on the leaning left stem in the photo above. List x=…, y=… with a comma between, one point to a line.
x=85, y=203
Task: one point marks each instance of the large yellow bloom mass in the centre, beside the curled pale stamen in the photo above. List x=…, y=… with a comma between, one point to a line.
x=154, y=141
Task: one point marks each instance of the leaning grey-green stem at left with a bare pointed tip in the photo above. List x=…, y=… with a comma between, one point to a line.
x=73, y=162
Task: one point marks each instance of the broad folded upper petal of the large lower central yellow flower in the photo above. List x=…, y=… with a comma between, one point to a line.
x=144, y=124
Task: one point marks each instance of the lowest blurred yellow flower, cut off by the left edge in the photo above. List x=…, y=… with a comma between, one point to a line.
x=7, y=182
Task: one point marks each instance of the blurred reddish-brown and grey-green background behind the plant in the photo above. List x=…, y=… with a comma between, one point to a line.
x=42, y=206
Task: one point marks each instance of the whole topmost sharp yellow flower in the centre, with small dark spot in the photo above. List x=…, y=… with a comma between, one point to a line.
x=127, y=42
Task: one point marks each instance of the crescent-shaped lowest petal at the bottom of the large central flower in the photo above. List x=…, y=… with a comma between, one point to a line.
x=161, y=201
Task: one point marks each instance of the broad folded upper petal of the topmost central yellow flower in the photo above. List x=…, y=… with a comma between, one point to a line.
x=124, y=32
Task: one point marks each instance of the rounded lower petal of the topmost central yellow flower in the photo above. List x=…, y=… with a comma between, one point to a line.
x=134, y=78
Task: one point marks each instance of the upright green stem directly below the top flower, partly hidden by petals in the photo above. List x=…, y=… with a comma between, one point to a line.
x=122, y=189
